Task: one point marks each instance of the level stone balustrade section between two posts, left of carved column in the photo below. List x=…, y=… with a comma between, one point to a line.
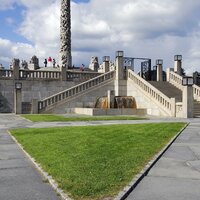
x=37, y=74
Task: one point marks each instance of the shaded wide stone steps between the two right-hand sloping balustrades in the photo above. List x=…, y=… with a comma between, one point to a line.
x=168, y=89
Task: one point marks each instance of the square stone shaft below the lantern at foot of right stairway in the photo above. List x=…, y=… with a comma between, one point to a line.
x=188, y=101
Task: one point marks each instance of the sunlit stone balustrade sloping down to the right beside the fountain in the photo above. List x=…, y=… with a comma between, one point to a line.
x=164, y=102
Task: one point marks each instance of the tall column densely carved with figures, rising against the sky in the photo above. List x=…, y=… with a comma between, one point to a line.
x=65, y=34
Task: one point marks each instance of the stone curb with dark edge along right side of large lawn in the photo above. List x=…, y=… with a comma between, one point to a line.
x=136, y=180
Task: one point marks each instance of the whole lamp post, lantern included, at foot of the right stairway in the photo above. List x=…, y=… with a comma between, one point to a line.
x=187, y=96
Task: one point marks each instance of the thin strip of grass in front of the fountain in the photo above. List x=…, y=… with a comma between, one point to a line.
x=51, y=118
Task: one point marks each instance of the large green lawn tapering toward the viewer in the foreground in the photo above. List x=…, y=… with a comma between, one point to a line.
x=95, y=162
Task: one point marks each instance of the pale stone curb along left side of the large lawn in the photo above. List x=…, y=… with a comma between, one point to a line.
x=49, y=179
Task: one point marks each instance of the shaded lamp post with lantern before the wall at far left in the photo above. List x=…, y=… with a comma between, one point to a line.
x=18, y=98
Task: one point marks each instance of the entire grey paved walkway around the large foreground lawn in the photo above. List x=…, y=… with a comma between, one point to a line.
x=175, y=176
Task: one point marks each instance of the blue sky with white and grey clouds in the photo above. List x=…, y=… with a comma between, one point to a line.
x=141, y=28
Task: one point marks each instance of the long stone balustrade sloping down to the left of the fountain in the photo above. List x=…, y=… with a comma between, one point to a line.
x=49, y=102
